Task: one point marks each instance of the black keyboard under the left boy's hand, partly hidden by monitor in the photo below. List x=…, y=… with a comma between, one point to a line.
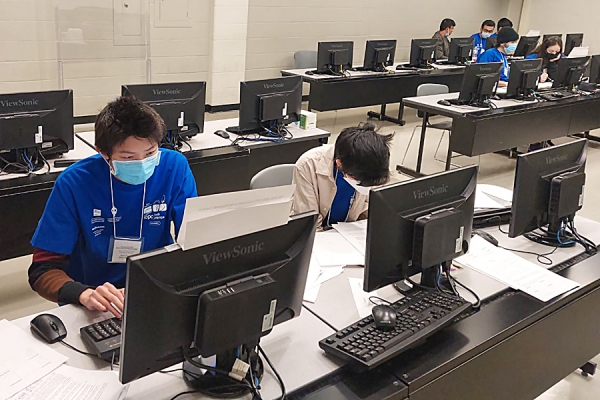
x=103, y=338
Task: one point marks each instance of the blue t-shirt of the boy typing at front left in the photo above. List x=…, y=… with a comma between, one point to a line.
x=77, y=220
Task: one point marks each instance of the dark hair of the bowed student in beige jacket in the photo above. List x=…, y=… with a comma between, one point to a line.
x=364, y=154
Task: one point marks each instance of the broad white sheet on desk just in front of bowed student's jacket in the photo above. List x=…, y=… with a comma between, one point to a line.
x=331, y=249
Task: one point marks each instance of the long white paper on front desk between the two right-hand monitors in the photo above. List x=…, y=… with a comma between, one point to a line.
x=514, y=271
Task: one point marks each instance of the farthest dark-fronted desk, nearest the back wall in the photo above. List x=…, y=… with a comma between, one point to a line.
x=364, y=88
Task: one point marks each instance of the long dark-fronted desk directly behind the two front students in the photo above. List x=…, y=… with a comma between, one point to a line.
x=217, y=166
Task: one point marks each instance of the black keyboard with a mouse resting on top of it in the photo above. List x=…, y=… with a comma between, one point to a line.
x=418, y=316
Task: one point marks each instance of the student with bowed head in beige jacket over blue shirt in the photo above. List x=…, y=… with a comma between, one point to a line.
x=335, y=180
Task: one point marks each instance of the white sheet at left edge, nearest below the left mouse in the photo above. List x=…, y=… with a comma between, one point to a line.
x=23, y=359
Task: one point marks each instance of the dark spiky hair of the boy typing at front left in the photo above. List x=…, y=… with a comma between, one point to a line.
x=125, y=117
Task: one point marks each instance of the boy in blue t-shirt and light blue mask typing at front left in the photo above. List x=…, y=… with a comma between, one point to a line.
x=109, y=206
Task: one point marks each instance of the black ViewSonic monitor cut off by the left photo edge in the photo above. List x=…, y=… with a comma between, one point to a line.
x=33, y=123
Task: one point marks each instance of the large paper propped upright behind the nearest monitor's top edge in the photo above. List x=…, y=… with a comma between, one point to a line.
x=210, y=219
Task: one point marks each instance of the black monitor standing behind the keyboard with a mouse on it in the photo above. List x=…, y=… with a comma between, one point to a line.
x=416, y=225
